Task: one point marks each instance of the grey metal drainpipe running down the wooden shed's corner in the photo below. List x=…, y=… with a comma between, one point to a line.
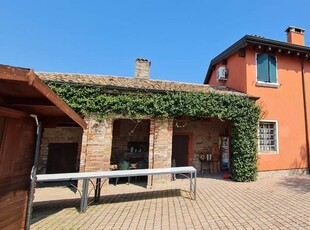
x=33, y=174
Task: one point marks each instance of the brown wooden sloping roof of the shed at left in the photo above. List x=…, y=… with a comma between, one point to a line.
x=23, y=93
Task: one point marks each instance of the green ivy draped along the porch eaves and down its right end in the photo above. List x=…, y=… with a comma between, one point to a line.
x=240, y=110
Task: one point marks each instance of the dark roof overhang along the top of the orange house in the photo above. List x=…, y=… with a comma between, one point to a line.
x=259, y=43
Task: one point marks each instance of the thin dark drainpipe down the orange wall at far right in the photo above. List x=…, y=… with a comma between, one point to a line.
x=305, y=111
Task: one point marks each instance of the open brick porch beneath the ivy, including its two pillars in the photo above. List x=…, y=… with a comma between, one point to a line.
x=122, y=143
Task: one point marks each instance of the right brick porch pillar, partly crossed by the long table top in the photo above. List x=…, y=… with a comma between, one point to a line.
x=160, y=150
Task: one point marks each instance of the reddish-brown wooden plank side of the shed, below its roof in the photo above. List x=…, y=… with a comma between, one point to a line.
x=17, y=146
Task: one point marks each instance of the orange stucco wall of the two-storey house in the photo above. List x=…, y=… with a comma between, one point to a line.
x=283, y=104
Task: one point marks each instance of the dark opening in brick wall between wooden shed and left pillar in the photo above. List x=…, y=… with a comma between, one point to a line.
x=62, y=158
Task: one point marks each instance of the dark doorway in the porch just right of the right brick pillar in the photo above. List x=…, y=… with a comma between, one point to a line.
x=180, y=150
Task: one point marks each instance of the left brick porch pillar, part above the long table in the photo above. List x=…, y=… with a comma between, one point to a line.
x=96, y=145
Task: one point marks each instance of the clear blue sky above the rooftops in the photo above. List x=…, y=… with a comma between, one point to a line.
x=105, y=37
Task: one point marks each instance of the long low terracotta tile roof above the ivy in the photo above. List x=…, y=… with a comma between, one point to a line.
x=132, y=83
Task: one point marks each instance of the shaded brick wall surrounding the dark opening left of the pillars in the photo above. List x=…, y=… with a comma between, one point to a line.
x=58, y=135
